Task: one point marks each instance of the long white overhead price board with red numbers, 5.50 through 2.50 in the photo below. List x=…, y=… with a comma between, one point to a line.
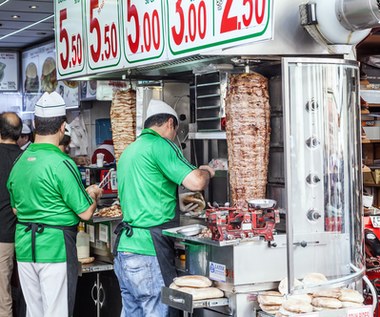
x=122, y=34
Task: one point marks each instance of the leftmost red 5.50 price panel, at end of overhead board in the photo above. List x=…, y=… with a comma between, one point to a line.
x=69, y=38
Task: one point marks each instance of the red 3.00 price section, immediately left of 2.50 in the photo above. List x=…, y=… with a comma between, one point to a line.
x=190, y=24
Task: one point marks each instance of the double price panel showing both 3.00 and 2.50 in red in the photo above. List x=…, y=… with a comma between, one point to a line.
x=199, y=25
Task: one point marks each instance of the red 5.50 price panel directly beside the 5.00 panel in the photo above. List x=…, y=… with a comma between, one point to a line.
x=103, y=34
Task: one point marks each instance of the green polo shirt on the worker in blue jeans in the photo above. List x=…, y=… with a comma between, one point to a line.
x=148, y=174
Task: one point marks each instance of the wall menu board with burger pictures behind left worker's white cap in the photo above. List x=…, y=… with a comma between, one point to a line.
x=39, y=75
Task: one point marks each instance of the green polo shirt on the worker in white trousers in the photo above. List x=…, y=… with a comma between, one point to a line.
x=45, y=187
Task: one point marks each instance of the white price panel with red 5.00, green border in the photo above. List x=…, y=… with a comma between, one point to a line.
x=143, y=28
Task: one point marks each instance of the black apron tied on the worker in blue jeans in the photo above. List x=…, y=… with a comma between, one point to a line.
x=164, y=247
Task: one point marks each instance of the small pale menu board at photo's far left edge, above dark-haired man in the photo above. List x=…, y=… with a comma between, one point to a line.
x=9, y=71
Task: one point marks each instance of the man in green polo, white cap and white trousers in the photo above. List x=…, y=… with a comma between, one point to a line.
x=49, y=199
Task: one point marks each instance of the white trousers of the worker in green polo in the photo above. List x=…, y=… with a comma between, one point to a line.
x=44, y=286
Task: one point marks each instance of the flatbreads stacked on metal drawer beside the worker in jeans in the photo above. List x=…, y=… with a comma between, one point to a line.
x=197, y=285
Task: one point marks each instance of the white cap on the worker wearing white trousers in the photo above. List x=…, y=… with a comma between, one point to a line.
x=50, y=105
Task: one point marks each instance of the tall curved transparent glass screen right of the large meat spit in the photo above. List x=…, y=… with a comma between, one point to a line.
x=323, y=170
